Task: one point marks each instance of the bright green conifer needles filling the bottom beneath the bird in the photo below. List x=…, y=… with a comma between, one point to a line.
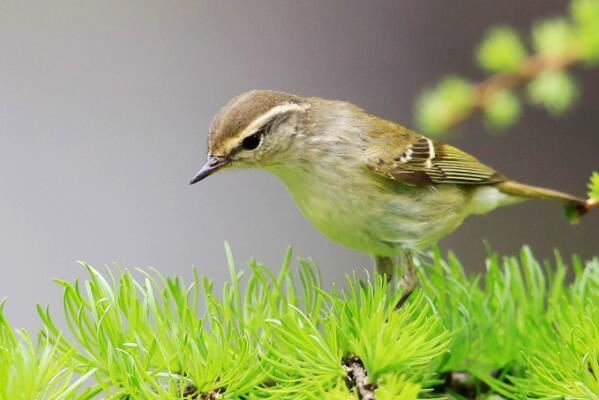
x=146, y=339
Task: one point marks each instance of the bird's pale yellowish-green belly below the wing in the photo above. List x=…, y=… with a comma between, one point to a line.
x=375, y=219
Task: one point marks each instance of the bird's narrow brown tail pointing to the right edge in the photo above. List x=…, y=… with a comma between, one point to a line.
x=574, y=207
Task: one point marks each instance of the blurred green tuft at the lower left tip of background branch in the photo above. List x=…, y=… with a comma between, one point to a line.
x=438, y=107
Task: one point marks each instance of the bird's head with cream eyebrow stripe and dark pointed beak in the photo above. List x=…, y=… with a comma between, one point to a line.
x=256, y=129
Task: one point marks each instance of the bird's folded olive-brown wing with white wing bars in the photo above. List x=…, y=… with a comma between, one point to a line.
x=410, y=158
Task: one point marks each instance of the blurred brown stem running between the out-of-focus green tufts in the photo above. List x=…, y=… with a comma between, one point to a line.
x=530, y=68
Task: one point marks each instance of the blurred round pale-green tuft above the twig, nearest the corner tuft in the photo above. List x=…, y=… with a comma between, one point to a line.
x=554, y=37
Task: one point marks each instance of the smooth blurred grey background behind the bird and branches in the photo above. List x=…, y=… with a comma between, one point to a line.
x=105, y=108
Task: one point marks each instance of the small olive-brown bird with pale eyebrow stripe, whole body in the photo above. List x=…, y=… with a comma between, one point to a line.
x=363, y=181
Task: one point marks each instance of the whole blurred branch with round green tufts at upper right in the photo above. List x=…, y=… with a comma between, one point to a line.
x=542, y=76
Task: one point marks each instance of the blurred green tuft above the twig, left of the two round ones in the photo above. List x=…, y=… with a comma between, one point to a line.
x=501, y=50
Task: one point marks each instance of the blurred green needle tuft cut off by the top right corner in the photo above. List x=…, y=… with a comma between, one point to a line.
x=585, y=14
